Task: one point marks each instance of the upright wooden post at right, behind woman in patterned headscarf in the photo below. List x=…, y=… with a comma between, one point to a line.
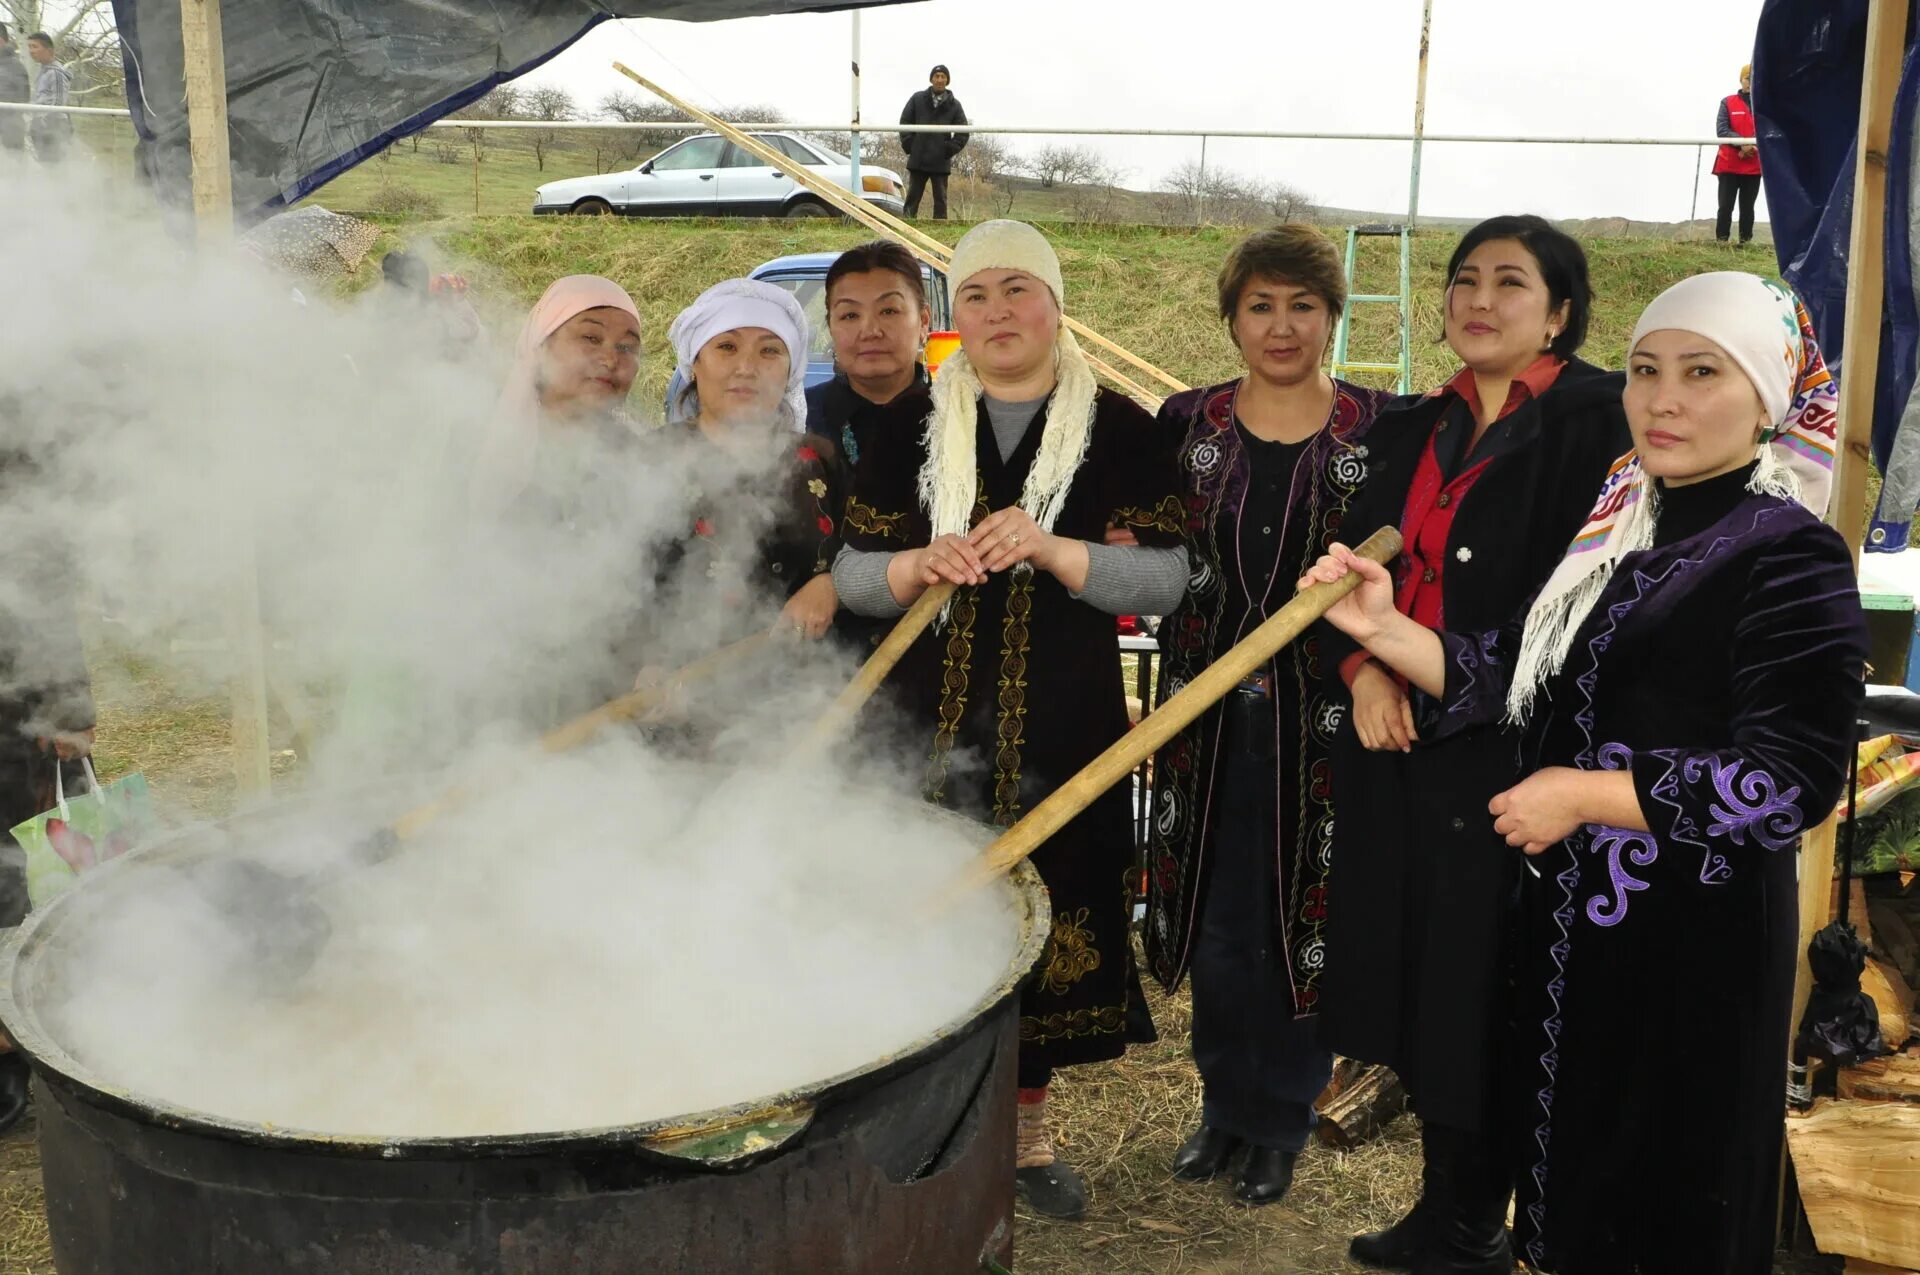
x=1886, y=47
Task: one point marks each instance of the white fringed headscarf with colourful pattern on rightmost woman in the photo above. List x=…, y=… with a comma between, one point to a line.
x=1764, y=327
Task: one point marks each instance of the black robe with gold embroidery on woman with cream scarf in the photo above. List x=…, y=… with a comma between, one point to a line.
x=1022, y=688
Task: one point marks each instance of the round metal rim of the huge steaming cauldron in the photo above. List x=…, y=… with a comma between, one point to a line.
x=62, y=1071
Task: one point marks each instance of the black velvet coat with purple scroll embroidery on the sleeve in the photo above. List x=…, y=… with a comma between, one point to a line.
x=1723, y=671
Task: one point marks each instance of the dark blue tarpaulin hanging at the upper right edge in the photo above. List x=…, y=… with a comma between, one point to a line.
x=1808, y=68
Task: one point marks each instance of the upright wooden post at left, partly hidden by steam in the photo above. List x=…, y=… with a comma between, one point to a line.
x=214, y=216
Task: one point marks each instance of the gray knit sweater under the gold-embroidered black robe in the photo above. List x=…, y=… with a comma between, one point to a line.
x=1120, y=581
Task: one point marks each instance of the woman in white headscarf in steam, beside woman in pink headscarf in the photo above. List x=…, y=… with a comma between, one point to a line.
x=767, y=500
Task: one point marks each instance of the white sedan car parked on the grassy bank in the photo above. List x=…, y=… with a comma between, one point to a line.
x=708, y=176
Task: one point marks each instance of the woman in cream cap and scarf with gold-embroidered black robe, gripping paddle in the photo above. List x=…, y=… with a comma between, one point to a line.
x=1009, y=493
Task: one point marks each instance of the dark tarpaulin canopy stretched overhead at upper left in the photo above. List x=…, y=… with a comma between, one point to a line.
x=316, y=87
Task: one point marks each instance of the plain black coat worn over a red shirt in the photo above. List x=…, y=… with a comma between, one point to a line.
x=1420, y=882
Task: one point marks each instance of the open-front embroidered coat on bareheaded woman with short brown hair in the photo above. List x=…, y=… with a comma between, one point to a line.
x=1216, y=613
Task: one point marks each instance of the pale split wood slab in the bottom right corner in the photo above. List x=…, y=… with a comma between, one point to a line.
x=1860, y=1178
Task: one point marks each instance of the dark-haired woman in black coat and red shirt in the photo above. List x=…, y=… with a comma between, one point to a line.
x=1487, y=481
